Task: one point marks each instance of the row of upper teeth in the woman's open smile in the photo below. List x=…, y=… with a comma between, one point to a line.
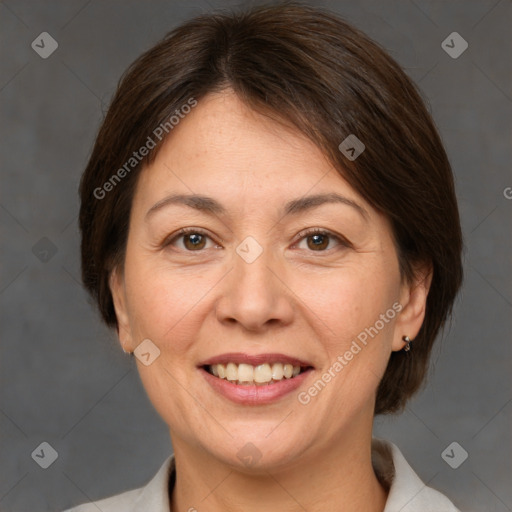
x=261, y=374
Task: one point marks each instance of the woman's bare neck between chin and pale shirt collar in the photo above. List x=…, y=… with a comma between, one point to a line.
x=339, y=476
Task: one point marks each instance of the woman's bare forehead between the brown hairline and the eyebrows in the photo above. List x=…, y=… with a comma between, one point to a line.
x=222, y=148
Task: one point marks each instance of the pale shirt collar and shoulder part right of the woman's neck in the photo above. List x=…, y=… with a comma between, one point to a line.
x=407, y=492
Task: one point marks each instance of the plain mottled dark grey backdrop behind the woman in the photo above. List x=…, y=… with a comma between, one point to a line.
x=64, y=379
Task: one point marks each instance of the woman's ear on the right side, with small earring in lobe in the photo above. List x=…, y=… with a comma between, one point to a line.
x=413, y=298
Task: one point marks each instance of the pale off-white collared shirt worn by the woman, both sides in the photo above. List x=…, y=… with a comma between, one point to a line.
x=407, y=493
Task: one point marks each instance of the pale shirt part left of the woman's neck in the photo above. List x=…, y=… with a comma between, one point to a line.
x=153, y=497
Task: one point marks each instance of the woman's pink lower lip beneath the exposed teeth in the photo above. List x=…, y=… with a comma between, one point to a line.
x=253, y=394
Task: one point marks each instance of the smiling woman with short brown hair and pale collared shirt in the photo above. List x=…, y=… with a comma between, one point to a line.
x=269, y=220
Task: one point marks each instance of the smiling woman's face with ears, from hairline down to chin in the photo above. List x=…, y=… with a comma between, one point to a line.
x=252, y=278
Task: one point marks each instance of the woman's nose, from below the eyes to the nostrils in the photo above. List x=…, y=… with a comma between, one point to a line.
x=254, y=295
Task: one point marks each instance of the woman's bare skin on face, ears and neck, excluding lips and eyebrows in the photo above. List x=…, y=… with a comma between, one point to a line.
x=293, y=299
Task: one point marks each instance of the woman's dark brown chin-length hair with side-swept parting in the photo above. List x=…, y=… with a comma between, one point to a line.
x=308, y=68
